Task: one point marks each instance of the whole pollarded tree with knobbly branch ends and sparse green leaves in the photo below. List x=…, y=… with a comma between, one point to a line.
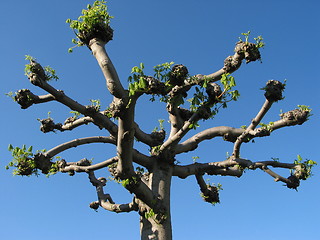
x=147, y=176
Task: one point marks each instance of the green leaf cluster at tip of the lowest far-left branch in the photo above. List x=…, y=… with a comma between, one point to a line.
x=22, y=161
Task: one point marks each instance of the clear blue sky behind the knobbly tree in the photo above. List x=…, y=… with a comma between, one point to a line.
x=199, y=34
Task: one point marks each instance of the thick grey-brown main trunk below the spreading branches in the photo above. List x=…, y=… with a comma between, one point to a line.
x=158, y=226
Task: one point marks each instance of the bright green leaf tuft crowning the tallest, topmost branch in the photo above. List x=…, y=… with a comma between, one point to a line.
x=95, y=15
